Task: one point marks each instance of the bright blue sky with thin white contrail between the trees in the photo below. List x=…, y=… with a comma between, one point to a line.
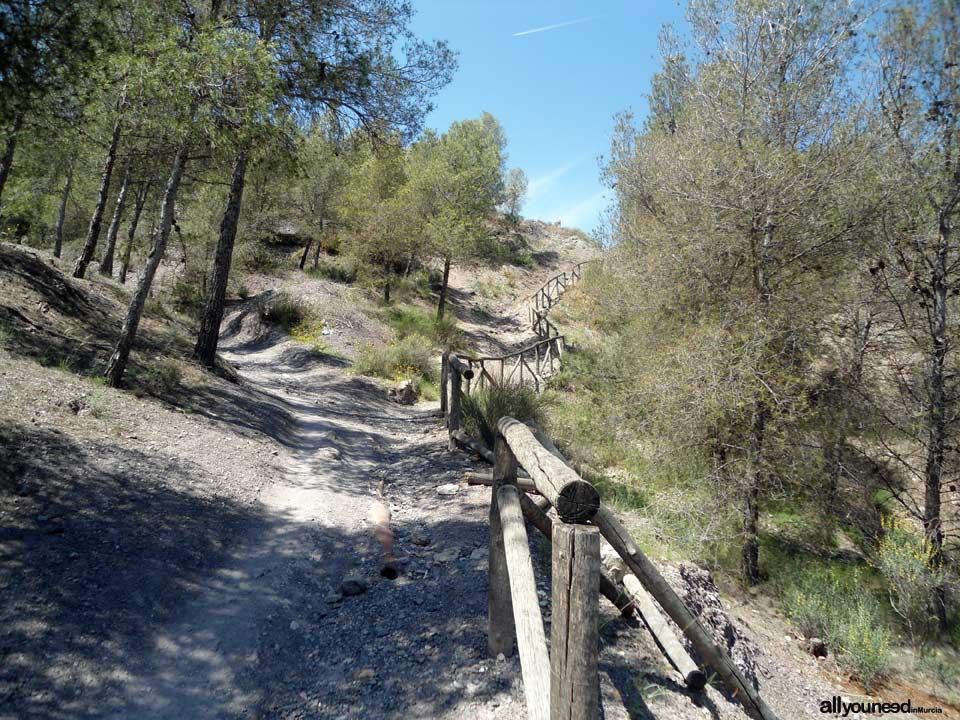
x=554, y=73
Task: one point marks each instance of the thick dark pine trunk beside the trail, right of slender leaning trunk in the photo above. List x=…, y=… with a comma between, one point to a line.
x=209, y=334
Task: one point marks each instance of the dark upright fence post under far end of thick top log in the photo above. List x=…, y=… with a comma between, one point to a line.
x=499, y=604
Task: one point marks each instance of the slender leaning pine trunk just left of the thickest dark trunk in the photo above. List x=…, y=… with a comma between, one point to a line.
x=121, y=353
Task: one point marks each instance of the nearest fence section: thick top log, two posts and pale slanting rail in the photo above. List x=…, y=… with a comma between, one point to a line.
x=564, y=683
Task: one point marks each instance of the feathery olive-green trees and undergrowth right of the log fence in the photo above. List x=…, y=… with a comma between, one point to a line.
x=767, y=355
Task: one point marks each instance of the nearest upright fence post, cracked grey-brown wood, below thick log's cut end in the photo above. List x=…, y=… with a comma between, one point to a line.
x=575, y=636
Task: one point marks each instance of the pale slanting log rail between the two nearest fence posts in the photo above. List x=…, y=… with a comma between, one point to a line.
x=531, y=639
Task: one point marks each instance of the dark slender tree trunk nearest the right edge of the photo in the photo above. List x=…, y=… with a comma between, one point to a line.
x=937, y=417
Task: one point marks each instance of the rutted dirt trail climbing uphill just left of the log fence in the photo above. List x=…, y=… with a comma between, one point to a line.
x=299, y=621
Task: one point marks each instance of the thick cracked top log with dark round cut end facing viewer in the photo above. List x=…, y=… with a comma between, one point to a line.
x=575, y=500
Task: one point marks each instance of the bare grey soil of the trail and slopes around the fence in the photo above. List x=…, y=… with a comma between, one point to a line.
x=211, y=554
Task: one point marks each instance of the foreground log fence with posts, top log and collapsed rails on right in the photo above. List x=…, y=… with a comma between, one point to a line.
x=529, y=477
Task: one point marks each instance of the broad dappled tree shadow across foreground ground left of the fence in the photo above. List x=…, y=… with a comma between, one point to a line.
x=131, y=592
